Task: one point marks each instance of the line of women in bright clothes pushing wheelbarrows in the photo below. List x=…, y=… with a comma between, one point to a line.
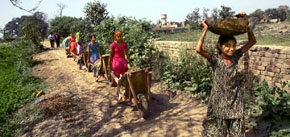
x=117, y=60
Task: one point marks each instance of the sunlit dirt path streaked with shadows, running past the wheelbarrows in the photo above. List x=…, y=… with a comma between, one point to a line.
x=100, y=115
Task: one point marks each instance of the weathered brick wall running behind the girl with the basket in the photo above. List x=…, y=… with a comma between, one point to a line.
x=261, y=61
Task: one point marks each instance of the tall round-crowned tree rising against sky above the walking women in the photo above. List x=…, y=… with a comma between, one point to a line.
x=96, y=12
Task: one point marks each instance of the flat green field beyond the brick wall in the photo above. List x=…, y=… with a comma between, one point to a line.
x=263, y=37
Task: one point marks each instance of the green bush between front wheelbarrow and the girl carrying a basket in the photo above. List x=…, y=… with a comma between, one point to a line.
x=190, y=73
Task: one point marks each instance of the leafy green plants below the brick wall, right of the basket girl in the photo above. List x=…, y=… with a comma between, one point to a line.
x=271, y=104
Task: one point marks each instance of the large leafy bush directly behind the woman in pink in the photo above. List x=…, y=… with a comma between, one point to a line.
x=136, y=33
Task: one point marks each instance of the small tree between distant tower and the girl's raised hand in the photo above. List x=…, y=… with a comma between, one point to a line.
x=193, y=18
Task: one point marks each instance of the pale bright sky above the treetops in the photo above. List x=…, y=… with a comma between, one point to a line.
x=176, y=10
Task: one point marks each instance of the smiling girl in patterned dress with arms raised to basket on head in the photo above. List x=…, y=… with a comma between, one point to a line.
x=225, y=116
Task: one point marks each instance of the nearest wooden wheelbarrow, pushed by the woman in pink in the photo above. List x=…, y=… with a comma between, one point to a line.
x=137, y=85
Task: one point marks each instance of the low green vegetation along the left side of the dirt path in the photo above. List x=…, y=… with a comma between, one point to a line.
x=16, y=82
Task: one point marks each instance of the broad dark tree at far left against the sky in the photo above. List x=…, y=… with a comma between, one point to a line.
x=13, y=28
